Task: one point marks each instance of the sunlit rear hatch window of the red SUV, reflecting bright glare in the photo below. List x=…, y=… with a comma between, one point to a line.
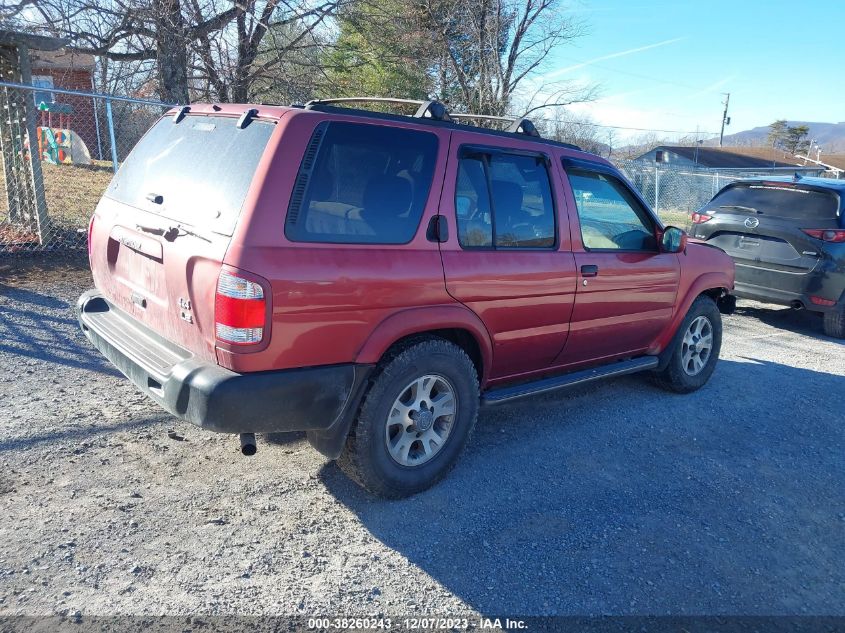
x=200, y=167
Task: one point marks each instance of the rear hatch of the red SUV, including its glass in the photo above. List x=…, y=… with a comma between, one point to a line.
x=161, y=230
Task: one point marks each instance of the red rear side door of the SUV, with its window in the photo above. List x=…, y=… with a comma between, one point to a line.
x=507, y=257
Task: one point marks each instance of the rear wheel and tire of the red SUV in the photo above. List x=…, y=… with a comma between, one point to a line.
x=415, y=420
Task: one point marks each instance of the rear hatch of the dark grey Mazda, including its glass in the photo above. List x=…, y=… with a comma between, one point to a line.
x=761, y=226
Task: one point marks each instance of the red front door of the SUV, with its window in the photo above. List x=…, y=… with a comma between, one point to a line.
x=626, y=287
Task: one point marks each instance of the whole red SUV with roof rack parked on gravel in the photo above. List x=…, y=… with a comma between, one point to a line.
x=373, y=278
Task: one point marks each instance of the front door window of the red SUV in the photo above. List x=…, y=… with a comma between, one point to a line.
x=610, y=216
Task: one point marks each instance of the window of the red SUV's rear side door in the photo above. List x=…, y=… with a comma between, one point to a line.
x=504, y=201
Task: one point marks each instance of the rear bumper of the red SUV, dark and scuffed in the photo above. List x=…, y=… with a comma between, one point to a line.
x=320, y=399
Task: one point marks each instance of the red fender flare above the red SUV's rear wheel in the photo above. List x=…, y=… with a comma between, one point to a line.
x=424, y=319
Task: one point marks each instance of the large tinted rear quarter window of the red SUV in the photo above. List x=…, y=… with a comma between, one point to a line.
x=361, y=184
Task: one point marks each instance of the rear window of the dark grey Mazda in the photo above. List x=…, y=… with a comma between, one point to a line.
x=782, y=202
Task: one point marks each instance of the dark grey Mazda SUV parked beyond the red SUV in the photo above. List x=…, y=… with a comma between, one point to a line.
x=787, y=238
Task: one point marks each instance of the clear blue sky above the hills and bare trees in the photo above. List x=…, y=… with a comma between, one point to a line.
x=664, y=65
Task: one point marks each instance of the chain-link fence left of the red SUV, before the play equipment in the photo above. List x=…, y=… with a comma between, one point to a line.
x=59, y=149
